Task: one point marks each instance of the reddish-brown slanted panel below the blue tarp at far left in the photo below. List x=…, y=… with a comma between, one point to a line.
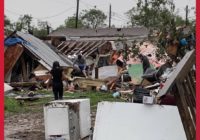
x=11, y=56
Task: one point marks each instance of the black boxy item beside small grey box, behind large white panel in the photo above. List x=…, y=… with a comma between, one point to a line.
x=138, y=94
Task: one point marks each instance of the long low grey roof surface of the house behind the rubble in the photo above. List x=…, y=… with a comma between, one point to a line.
x=103, y=32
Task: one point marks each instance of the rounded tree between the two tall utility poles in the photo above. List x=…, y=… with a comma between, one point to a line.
x=93, y=18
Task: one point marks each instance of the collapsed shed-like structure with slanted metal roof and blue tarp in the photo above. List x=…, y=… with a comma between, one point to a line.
x=25, y=54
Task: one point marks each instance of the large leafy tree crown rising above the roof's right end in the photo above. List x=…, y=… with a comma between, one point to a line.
x=154, y=13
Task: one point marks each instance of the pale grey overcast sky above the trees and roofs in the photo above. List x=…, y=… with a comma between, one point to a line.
x=56, y=11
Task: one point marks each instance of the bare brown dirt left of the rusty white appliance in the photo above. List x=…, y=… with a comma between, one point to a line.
x=29, y=126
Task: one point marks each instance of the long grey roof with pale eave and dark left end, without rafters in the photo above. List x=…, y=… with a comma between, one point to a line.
x=109, y=34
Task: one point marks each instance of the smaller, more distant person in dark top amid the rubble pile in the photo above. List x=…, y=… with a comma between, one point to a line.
x=81, y=64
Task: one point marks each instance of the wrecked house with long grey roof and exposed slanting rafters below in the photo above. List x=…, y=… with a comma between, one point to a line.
x=93, y=42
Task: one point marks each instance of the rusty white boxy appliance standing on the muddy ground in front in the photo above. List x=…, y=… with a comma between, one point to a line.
x=67, y=119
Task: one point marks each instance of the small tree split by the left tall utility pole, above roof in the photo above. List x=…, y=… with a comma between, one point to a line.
x=71, y=21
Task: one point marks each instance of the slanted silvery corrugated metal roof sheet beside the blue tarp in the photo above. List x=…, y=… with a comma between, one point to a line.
x=42, y=51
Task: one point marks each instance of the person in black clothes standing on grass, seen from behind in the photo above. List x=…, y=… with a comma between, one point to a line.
x=57, y=75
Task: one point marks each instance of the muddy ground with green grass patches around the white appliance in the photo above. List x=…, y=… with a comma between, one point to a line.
x=26, y=122
